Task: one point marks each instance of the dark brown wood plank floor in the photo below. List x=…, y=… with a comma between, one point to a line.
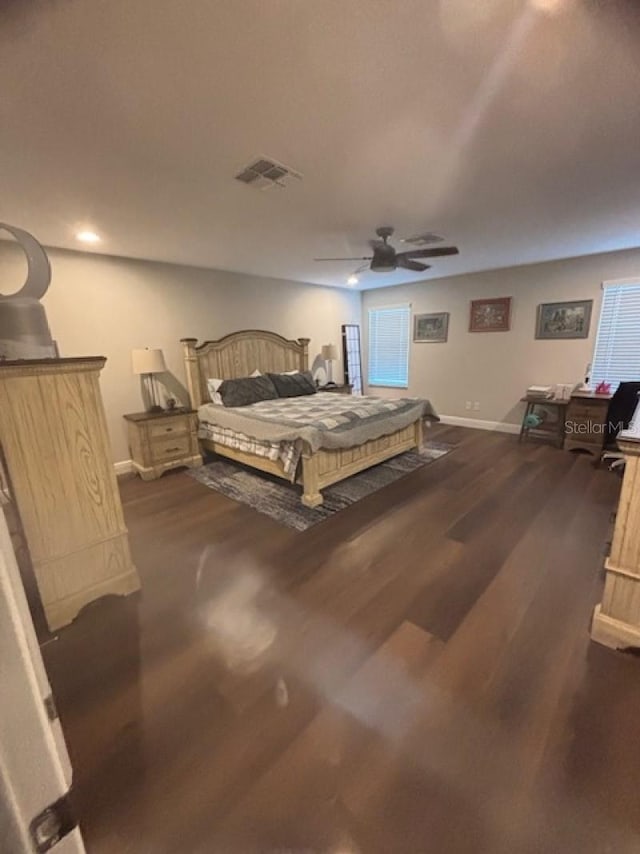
x=413, y=675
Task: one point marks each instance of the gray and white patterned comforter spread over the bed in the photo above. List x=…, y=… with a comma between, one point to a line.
x=322, y=420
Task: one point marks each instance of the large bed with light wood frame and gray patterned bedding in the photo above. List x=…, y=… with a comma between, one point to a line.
x=242, y=353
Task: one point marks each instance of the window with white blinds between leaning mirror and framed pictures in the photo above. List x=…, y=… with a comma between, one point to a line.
x=389, y=346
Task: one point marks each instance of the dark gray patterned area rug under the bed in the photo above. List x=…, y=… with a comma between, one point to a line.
x=281, y=500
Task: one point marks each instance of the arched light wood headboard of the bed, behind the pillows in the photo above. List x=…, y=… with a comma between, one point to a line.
x=238, y=355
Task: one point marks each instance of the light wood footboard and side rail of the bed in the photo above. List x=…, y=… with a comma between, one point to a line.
x=324, y=467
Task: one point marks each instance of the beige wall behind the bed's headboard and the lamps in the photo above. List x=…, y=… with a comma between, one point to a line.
x=98, y=305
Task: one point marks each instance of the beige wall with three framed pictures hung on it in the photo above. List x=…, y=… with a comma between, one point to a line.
x=496, y=368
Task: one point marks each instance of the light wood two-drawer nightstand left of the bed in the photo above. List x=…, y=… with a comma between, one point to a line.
x=159, y=441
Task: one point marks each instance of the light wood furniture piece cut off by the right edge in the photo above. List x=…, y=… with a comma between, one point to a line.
x=616, y=620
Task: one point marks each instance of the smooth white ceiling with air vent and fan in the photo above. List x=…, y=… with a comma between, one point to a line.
x=510, y=127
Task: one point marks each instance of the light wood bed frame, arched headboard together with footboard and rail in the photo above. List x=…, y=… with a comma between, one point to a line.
x=241, y=353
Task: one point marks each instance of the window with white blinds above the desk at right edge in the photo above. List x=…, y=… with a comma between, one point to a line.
x=617, y=355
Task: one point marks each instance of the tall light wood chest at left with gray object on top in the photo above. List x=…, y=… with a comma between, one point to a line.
x=54, y=438
